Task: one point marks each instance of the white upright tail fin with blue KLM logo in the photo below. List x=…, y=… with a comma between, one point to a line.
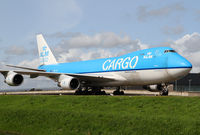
x=45, y=54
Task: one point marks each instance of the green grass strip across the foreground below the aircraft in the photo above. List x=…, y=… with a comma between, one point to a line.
x=99, y=115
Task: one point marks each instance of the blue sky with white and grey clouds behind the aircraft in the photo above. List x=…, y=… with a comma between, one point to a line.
x=89, y=29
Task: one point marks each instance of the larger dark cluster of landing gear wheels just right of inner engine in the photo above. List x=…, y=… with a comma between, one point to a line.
x=90, y=91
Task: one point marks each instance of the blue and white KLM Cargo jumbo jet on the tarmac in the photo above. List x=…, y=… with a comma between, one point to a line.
x=152, y=68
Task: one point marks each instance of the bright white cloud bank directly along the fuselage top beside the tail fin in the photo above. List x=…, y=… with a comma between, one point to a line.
x=78, y=54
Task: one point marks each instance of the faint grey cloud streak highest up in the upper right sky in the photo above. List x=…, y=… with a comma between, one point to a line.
x=145, y=13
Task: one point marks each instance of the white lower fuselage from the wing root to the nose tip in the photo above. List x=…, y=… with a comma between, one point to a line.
x=156, y=76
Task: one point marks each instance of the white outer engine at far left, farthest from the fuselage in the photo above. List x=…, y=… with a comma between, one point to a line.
x=14, y=79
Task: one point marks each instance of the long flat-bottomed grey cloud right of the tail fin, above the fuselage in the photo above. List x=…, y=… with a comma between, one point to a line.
x=99, y=40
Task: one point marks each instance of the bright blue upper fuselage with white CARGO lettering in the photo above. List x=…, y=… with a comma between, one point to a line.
x=148, y=59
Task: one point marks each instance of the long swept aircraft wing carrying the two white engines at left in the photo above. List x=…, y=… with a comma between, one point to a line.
x=53, y=75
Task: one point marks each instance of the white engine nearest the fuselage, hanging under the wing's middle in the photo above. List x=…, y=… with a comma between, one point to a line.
x=68, y=82
